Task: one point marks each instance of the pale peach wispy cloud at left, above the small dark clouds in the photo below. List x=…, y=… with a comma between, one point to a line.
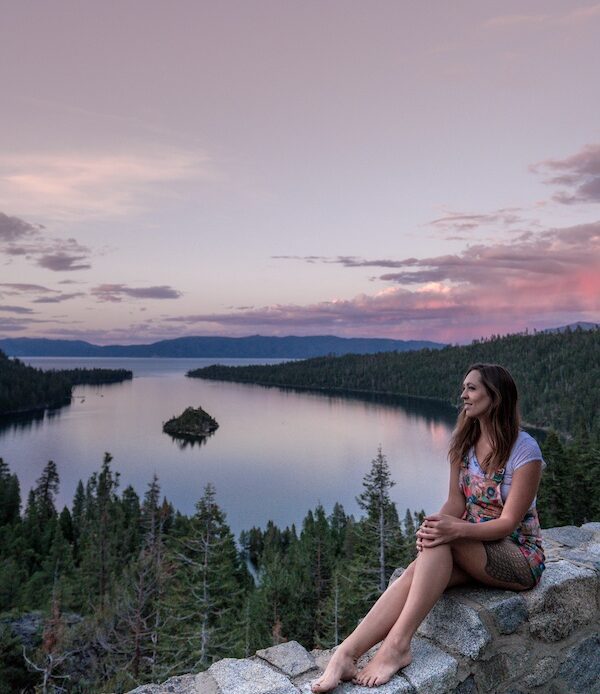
x=68, y=185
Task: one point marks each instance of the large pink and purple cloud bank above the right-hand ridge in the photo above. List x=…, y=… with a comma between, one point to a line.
x=538, y=280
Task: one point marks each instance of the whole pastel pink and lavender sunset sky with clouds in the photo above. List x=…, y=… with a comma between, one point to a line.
x=362, y=169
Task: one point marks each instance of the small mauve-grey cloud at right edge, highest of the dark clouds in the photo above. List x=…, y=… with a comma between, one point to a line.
x=579, y=173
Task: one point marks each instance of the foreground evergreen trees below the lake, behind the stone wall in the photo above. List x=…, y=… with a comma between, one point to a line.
x=122, y=591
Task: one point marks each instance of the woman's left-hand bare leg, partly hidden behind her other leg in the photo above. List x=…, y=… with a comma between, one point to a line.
x=372, y=629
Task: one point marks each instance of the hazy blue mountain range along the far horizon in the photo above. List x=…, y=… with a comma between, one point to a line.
x=255, y=346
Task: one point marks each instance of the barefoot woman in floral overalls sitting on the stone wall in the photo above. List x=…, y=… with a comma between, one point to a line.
x=495, y=471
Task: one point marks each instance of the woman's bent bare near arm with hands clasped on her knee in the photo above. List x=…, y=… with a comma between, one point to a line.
x=445, y=527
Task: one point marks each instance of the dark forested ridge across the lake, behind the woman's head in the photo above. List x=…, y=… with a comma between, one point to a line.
x=557, y=374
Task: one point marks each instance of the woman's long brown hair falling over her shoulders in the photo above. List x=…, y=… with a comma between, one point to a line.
x=503, y=415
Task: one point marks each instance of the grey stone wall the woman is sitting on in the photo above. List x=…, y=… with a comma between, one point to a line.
x=474, y=641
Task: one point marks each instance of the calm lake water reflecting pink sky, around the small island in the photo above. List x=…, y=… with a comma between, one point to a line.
x=276, y=453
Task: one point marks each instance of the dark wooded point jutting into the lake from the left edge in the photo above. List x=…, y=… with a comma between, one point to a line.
x=25, y=388
